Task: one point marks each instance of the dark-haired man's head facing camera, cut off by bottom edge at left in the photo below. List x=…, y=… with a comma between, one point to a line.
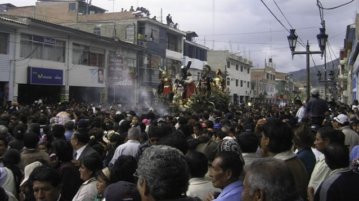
x=46, y=183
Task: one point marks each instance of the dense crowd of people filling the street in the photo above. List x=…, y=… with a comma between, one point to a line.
x=83, y=152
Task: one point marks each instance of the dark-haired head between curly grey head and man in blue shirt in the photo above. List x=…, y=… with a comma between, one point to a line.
x=197, y=163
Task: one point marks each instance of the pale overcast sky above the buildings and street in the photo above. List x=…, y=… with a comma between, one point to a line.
x=247, y=28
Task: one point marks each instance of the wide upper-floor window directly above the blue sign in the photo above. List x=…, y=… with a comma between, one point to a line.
x=40, y=47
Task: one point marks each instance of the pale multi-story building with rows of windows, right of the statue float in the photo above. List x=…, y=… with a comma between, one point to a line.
x=237, y=73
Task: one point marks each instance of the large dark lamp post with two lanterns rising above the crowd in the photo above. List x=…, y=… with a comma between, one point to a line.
x=322, y=39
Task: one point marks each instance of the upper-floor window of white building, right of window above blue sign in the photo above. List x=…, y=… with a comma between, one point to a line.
x=89, y=56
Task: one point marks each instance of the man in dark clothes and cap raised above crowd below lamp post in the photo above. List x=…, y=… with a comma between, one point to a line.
x=316, y=108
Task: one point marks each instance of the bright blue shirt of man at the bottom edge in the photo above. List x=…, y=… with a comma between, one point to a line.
x=232, y=192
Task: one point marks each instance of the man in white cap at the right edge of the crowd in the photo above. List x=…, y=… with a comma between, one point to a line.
x=341, y=122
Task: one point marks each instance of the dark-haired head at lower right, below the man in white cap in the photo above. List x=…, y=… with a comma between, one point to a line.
x=336, y=156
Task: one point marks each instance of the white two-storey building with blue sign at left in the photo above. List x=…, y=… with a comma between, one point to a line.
x=41, y=60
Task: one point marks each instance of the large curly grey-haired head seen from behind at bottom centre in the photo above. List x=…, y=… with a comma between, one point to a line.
x=162, y=173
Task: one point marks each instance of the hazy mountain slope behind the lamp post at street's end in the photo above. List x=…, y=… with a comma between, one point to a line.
x=301, y=75
